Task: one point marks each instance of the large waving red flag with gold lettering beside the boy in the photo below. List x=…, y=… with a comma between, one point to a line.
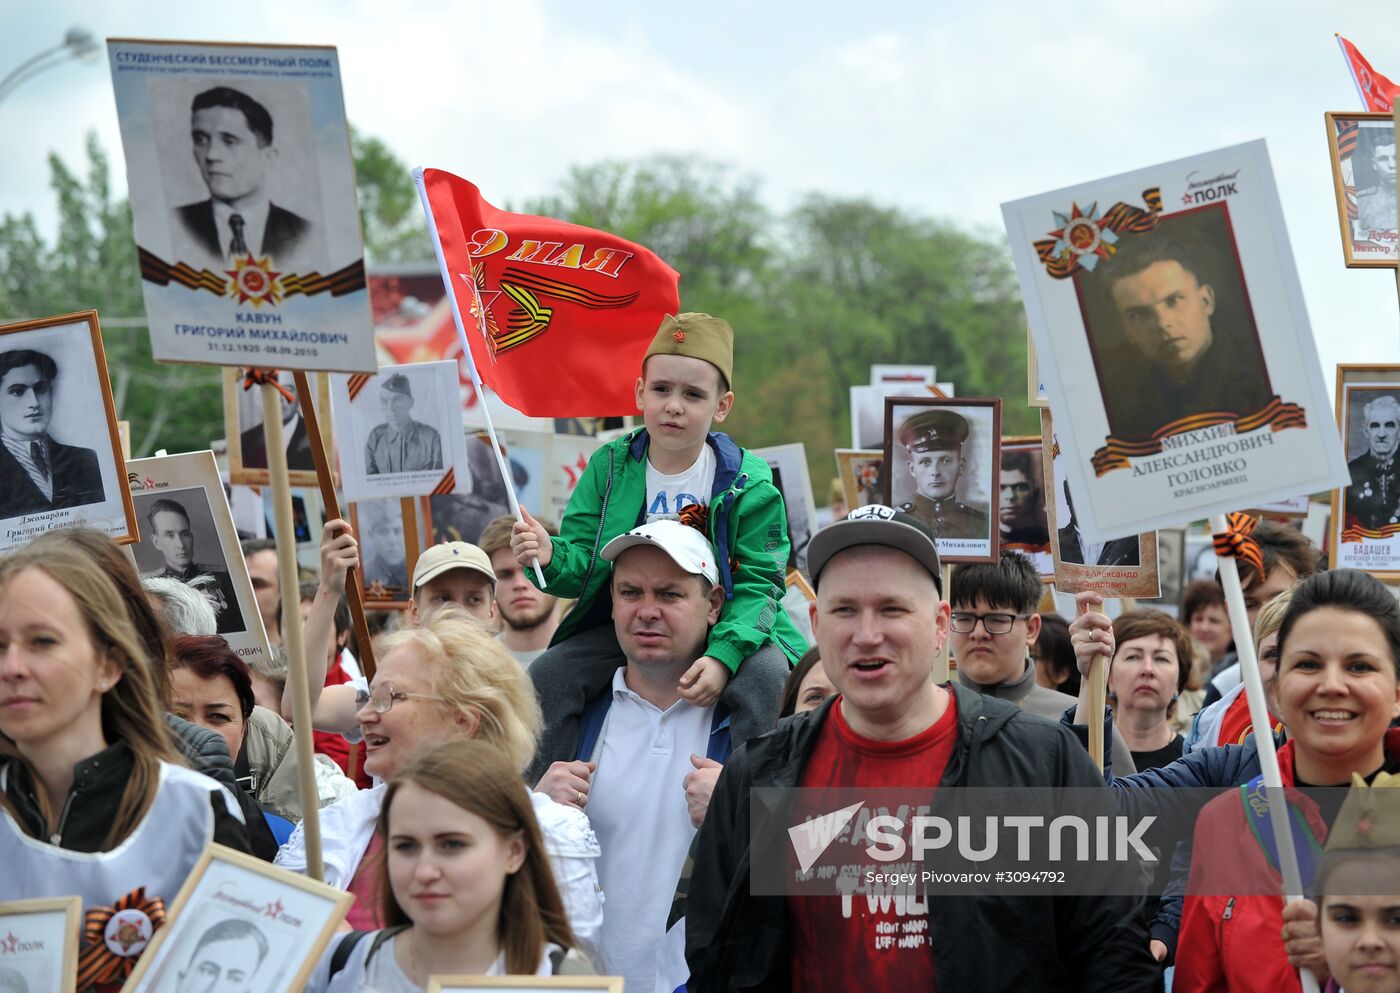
x=558, y=316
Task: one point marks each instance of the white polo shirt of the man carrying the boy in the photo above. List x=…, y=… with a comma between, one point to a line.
x=638, y=807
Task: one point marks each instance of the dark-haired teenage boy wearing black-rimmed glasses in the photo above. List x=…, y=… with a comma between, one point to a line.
x=995, y=627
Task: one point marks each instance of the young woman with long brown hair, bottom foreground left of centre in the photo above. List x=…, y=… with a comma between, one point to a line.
x=467, y=886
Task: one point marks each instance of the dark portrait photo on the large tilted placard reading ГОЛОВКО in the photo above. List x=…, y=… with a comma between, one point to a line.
x=1171, y=330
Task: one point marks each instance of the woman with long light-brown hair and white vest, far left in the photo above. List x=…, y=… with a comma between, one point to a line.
x=94, y=800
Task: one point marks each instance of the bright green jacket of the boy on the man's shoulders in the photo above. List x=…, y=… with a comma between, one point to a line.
x=748, y=530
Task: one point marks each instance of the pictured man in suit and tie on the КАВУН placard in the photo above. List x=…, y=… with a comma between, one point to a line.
x=234, y=151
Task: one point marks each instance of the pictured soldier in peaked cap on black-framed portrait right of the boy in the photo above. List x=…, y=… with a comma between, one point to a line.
x=933, y=443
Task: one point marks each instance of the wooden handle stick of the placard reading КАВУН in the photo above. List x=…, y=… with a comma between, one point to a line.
x=292, y=617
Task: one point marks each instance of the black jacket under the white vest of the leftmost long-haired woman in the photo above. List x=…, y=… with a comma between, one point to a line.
x=99, y=782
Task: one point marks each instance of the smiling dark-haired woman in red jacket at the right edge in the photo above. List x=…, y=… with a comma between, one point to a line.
x=1338, y=690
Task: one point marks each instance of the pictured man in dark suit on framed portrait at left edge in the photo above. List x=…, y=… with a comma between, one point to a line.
x=37, y=471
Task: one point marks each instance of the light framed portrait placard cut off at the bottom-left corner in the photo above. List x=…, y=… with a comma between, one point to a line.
x=40, y=946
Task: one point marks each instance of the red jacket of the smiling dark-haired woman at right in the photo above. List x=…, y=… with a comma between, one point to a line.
x=1235, y=943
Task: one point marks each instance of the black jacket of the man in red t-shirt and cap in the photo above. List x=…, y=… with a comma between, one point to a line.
x=738, y=942
